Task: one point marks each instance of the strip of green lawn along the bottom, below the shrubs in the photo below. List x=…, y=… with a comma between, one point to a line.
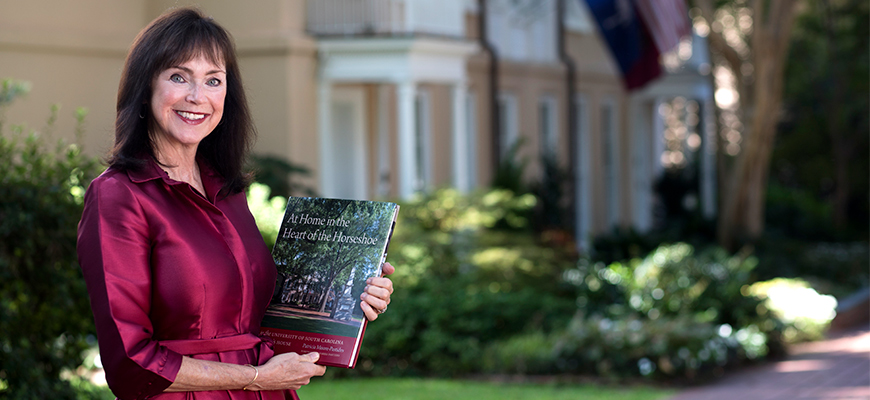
x=426, y=389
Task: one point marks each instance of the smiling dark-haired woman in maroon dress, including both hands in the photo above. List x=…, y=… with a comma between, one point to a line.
x=178, y=274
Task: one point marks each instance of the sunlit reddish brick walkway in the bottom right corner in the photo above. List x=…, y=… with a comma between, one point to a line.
x=836, y=368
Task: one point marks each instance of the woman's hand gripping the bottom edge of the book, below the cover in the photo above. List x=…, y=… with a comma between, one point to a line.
x=287, y=371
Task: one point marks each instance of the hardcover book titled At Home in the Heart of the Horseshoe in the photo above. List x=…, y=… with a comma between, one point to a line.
x=325, y=251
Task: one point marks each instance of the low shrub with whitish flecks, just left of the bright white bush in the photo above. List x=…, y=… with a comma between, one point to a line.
x=673, y=313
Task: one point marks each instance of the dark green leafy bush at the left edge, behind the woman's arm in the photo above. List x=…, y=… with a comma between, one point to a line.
x=45, y=319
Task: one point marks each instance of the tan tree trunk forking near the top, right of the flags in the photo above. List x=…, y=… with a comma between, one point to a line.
x=741, y=216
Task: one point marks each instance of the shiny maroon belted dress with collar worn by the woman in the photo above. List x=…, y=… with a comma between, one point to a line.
x=171, y=273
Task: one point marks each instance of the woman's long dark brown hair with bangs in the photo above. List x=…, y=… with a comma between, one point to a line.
x=174, y=38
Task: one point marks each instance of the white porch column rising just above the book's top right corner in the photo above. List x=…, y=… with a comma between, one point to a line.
x=407, y=140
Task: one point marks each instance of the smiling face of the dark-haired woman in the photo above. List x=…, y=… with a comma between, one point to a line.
x=188, y=102
